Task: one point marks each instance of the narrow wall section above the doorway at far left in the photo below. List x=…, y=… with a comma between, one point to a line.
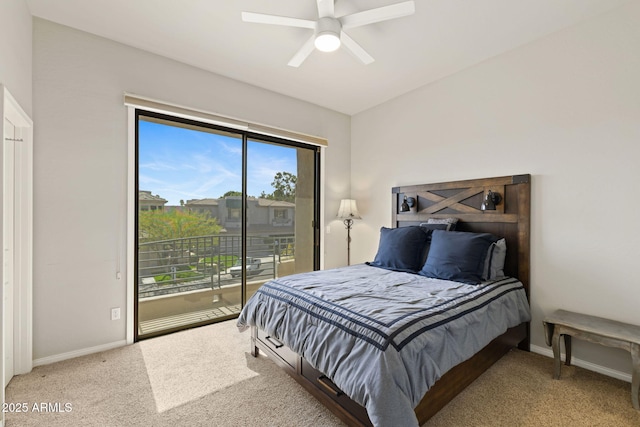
x=15, y=50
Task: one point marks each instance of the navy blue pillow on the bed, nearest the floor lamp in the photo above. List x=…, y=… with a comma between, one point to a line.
x=402, y=249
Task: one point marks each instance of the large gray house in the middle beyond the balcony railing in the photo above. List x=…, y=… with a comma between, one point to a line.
x=264, y=216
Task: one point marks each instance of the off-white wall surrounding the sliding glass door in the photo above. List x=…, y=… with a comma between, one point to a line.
x=81, y=169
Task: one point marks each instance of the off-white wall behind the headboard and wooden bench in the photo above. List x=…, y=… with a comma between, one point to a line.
x=565, y=109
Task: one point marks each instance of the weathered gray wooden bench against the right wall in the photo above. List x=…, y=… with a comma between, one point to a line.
x=597, y=330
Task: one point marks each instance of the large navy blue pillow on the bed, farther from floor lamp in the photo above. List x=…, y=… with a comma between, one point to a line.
x=458, y=256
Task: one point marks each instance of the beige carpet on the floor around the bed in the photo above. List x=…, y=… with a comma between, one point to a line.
x=206, y=377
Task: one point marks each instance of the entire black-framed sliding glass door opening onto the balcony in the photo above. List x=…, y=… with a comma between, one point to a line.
x=219, y=212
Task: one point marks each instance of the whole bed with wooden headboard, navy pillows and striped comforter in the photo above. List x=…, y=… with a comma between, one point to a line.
x=403, y=340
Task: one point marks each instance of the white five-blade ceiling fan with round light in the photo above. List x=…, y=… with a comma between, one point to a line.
x=329, y=30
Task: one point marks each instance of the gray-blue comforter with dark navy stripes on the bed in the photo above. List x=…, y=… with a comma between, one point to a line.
x=384, y=337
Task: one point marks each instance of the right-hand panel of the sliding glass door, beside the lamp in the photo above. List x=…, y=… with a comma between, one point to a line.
x=281, y=220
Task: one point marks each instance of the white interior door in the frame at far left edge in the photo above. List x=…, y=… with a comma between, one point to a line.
x=8, y=248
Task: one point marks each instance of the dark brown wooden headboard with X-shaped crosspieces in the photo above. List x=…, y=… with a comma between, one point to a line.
x=463, y=200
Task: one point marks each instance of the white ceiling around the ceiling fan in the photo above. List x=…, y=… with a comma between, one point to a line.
x=441, y=38
